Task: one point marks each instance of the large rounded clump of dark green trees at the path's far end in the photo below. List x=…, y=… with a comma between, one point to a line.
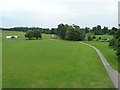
x=70, y=32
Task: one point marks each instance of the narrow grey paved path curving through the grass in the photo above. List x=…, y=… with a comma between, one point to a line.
x=112, y=73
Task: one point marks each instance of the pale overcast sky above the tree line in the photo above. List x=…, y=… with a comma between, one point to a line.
x=50, y=13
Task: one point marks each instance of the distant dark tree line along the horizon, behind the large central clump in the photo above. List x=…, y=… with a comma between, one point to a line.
x=97, y=30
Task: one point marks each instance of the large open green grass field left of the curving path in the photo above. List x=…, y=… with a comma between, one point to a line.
x=52, y=64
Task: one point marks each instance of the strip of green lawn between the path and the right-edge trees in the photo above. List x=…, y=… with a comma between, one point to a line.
x=108, y=53
